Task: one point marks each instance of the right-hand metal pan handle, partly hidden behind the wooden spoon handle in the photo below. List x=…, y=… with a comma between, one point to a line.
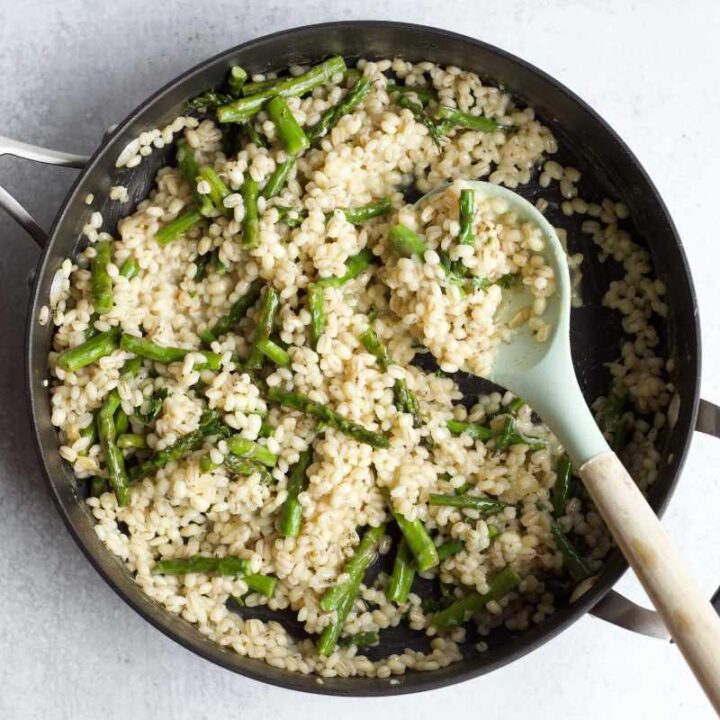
x=616, y=608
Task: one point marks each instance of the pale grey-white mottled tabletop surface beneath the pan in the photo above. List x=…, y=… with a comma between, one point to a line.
x=70, y=648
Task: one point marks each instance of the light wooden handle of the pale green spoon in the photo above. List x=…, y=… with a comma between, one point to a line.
x=688, y=615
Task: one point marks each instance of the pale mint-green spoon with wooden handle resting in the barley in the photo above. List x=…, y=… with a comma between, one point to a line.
x=542, y=374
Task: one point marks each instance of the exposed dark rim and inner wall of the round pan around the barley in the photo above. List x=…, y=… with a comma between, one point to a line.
x=608, y=170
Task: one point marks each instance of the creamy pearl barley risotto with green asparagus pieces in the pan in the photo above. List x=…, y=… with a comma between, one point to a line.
x=243, y=378
